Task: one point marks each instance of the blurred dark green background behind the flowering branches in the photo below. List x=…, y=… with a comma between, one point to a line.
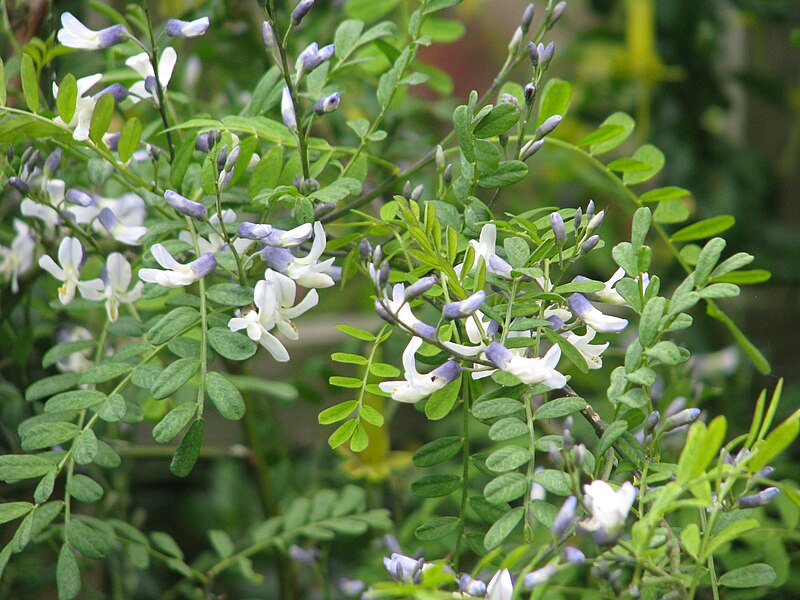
x=715, y=84
